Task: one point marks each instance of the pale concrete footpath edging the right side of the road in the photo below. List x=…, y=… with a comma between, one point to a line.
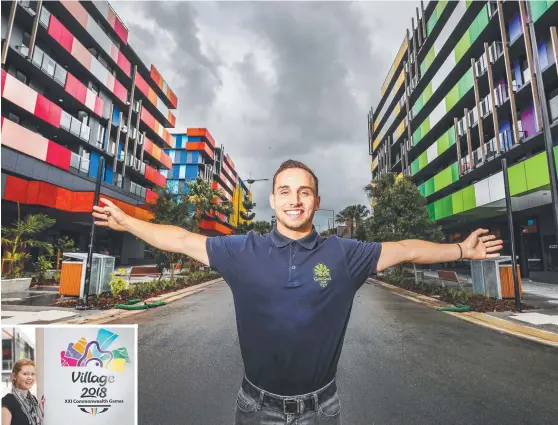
x=536, y=325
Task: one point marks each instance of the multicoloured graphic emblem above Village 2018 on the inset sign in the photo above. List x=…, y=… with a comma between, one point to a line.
x=96, y=352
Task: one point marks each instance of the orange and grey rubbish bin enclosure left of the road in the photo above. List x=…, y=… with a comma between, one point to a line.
x=72, y=277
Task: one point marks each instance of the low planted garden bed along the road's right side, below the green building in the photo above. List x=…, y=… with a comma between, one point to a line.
x=454, y=296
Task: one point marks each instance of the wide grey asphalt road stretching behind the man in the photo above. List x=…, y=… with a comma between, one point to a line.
x=402, y=363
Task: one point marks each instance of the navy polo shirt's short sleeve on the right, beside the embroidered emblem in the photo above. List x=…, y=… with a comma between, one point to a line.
x=362, y=258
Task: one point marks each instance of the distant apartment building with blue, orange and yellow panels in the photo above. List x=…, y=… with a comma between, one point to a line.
x=196, y=155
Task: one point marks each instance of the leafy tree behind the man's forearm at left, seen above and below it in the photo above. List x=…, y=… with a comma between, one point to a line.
x=172, y=210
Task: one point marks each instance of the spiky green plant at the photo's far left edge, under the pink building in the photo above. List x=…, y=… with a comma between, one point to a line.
x=22, y=236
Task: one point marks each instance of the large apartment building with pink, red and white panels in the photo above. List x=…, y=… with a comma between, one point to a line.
x=75, y=91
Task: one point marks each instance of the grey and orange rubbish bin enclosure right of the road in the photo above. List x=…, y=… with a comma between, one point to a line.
x=493, y=277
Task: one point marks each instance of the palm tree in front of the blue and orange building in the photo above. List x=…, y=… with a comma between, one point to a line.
x=206, y=201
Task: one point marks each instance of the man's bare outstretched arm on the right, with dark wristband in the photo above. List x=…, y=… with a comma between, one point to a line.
x=478, y=246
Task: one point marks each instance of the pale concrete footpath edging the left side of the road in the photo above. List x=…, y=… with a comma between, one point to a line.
x=44, y=315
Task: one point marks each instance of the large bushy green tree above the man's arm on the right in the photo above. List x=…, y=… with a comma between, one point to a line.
x=400, y=212
